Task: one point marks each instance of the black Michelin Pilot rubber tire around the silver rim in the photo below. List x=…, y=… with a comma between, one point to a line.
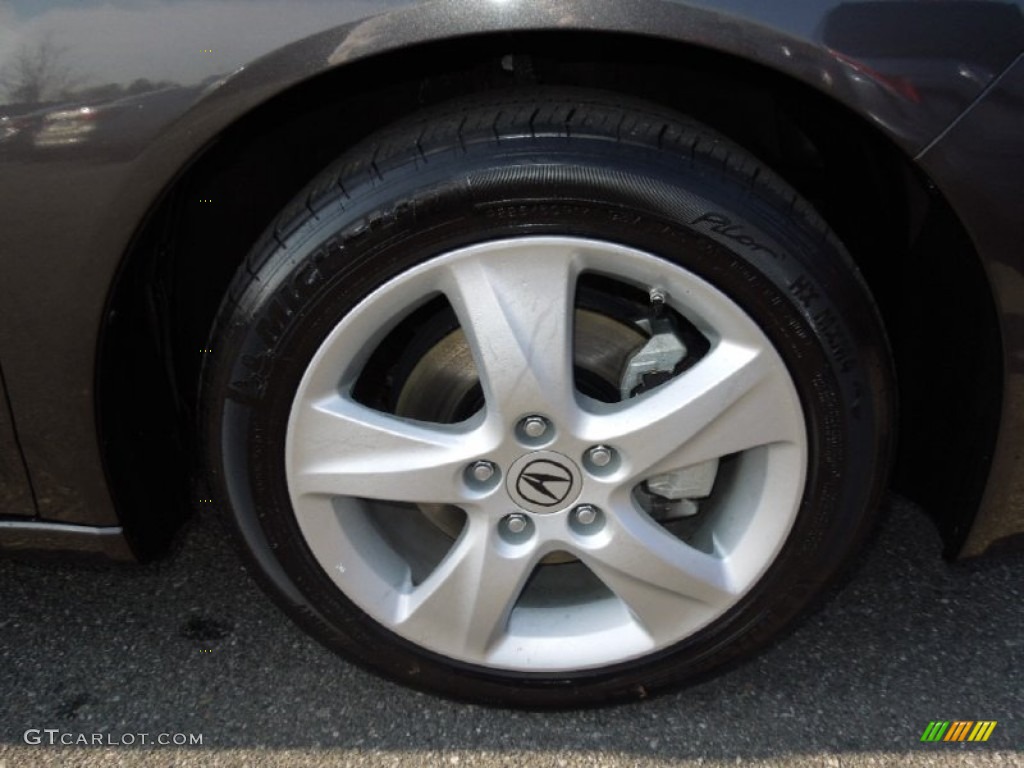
x=548, y=163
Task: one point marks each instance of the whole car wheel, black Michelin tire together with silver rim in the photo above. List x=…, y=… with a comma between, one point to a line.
x=548, y=399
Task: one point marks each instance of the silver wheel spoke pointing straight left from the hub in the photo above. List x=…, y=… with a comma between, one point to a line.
x=342, y=448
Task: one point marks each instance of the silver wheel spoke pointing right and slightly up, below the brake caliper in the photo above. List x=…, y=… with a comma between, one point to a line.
x=734, y=400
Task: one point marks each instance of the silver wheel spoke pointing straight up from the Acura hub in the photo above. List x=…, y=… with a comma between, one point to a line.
x=516, y=308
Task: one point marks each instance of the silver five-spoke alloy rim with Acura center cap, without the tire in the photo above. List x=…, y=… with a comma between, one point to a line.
x=354, y=472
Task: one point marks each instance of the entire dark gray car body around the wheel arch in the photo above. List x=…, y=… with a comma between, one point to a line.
x=75, y=205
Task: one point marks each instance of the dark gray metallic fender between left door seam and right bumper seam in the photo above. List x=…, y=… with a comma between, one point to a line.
x=98, y=191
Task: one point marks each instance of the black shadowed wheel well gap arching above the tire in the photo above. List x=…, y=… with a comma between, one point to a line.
x=913, y=251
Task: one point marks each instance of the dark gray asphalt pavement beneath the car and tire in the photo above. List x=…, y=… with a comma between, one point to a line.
x=190, y=647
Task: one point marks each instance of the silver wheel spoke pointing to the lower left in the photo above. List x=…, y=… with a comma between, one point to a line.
x=465, y=604
